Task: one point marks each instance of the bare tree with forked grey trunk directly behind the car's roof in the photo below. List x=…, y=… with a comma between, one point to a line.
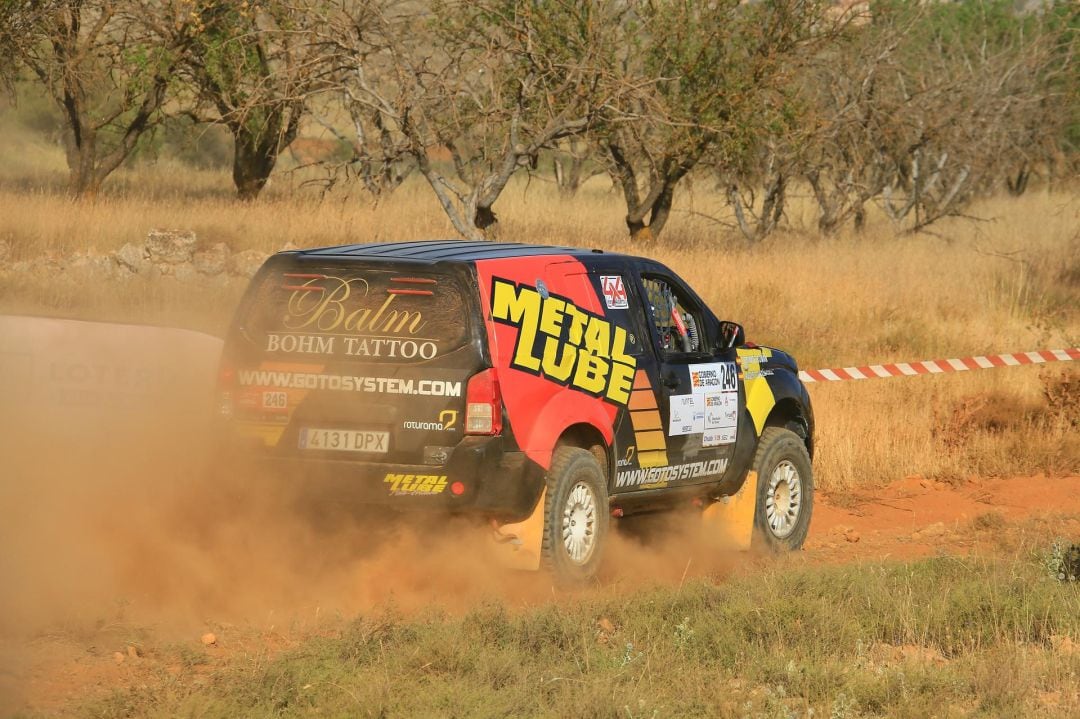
x=474, y=91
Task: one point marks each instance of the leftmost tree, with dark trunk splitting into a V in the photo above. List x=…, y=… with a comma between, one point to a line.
x=109, y=66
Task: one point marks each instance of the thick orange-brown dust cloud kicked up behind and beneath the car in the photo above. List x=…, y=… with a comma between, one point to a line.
x=133, y=525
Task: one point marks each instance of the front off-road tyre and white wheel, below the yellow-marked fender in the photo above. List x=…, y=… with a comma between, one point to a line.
x=786, y=477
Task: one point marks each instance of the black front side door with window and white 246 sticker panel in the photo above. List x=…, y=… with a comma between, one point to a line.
x=697, y=388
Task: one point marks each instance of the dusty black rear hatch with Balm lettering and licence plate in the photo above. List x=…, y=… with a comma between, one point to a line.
x=354, y=360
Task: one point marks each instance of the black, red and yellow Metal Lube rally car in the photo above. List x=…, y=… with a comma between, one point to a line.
x=517, y=384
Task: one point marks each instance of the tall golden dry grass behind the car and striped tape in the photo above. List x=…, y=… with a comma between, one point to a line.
x=1007, y=282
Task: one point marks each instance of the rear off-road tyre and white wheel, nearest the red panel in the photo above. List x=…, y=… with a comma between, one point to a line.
x=576, y=493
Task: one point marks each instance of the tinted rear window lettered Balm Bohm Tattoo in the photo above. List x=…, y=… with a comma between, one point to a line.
x=361, y=315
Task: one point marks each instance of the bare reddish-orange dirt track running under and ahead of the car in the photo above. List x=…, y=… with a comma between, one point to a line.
x=71, y=660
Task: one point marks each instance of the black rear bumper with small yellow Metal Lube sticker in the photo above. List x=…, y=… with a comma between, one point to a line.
x=479, y=477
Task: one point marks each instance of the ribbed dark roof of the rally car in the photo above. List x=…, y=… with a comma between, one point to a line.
x=454, y=251
